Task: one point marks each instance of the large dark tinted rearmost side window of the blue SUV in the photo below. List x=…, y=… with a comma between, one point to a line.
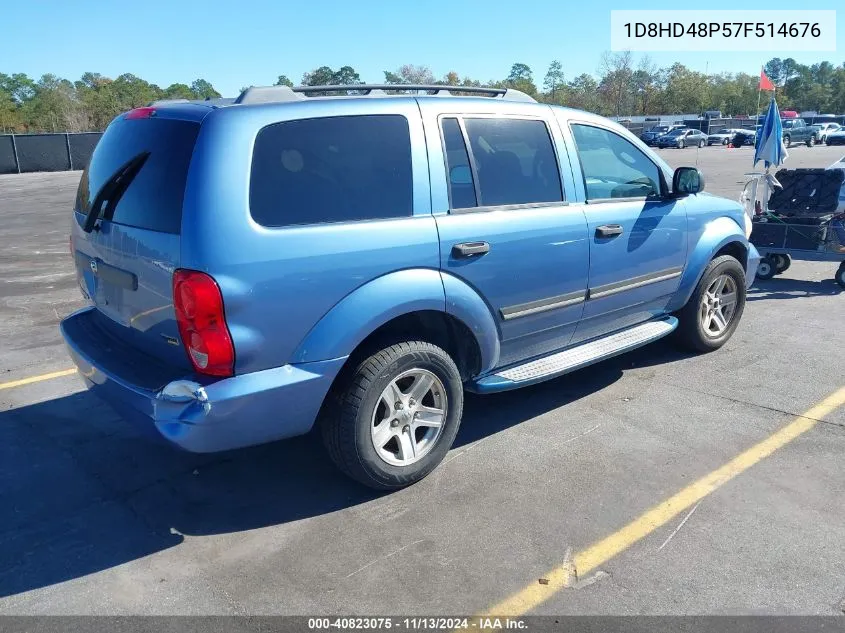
x=333, y=169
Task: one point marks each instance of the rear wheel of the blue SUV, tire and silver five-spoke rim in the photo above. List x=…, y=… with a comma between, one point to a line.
x=395, y=416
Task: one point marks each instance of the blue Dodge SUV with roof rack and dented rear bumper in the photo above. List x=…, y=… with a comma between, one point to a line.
x=357, y=261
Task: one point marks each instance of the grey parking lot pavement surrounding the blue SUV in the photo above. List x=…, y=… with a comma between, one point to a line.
x=100, y=520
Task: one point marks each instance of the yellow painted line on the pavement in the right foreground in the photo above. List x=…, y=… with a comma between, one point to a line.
x=599, y=553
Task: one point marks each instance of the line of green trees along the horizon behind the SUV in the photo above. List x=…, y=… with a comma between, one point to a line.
x=622, y=86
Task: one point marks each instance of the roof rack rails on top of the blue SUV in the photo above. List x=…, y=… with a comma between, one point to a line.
x=276, y=94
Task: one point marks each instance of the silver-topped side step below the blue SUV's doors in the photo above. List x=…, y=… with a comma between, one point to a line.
x=575, y=357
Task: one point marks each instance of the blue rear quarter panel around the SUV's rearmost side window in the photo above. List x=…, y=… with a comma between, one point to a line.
x=278, y=283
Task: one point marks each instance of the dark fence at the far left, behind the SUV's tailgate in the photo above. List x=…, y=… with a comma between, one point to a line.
x=23, y=153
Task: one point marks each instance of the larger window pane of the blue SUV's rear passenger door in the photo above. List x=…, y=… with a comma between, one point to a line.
x=514, y=160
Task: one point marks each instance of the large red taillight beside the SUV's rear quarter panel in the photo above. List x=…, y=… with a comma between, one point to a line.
x=202, y=323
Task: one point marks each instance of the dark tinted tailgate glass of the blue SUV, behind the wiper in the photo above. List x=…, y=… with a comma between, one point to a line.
x=153, y=198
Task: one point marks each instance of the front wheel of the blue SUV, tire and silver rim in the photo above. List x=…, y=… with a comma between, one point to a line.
x=712, y=313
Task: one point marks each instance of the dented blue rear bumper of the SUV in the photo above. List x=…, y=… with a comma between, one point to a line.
x=204, y=416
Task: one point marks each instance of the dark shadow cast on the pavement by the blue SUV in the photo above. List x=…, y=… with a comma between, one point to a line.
x=83, y=491
